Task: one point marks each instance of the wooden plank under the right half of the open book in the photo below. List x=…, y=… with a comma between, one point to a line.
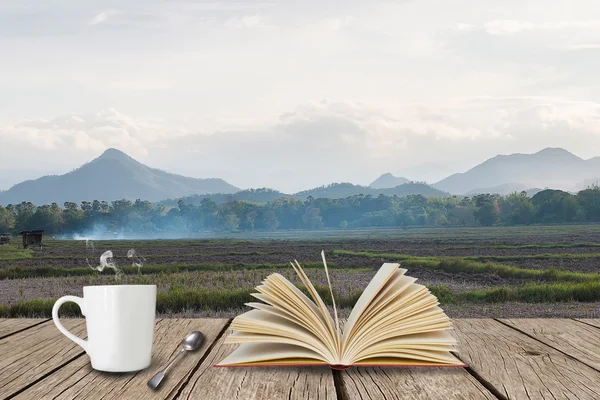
x=411, y=383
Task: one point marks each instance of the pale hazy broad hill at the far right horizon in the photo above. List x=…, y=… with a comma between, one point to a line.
x=550, y=167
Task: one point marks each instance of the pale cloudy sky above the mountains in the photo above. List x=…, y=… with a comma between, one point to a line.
x=295, y=94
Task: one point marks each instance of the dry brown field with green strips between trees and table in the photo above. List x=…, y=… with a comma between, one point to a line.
x=548, y=271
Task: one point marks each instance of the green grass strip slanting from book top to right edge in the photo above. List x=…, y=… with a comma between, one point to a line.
x=466, y=265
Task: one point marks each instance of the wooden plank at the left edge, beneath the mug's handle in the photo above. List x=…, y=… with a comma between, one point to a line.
x=31, y=354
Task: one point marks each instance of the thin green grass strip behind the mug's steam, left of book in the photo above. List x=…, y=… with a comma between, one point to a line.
x=20, y=272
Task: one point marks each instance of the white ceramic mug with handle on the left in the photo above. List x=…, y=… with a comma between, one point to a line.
x=120, y=325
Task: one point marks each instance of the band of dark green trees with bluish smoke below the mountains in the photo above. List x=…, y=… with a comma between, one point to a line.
x=143, y=217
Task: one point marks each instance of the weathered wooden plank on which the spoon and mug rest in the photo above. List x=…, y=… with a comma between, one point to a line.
x=78, y=380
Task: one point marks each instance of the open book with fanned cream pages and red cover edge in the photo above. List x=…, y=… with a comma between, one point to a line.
x=395, y=322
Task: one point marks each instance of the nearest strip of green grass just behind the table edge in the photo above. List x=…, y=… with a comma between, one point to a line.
x=181, y=300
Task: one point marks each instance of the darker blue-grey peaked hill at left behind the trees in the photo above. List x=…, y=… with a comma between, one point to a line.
x=114, y=175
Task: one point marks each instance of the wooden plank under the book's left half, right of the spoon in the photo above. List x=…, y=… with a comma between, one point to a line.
x=210, y=383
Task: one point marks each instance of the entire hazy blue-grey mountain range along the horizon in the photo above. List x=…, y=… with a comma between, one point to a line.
x=114, y=175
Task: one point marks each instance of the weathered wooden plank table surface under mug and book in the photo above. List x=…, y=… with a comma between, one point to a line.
x=508, y=359
